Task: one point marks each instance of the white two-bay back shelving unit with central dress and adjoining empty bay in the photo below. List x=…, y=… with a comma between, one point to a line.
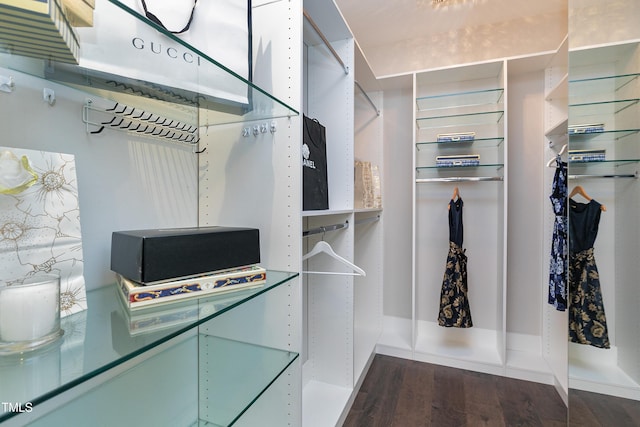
x=512, y=333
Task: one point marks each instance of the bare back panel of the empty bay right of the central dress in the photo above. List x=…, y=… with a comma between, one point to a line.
x=526, y=203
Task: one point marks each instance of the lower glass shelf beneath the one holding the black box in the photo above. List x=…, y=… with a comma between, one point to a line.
x=239, y=374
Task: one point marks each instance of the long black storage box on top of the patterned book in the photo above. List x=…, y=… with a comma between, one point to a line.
x=153, y=255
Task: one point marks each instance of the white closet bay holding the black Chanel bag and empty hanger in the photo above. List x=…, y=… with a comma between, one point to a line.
x=327, y=86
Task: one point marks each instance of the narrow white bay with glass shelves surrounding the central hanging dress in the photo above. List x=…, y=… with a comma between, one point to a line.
x=460, y=100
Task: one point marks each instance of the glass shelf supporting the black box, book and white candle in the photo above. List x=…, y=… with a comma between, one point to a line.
x=107, y=335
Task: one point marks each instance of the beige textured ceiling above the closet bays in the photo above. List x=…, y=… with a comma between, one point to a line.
x=380, y=24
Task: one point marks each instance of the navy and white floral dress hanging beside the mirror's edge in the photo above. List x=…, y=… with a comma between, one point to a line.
x=558, y=257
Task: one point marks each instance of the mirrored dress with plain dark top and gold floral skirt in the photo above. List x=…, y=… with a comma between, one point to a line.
x=587, y=321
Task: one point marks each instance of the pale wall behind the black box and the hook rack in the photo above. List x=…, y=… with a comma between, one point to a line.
x=124, y=181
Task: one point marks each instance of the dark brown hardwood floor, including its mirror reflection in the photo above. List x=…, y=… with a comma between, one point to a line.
x=404, y=393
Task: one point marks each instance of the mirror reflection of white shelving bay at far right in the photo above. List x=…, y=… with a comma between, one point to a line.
x=604, y=89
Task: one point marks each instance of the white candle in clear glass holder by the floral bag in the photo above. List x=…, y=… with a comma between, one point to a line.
x=30, y=314
